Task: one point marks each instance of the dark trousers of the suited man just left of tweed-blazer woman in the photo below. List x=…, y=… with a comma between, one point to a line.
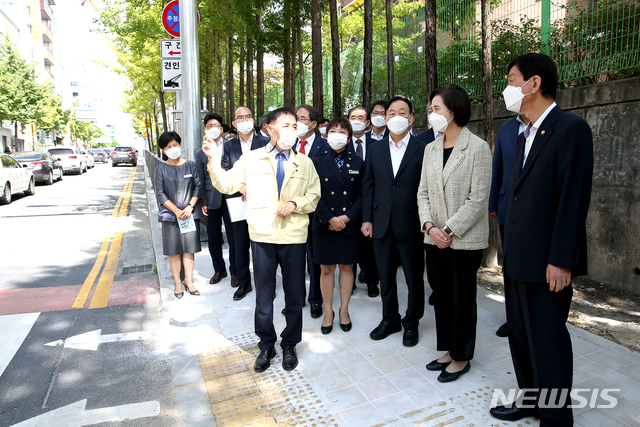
x=387, y=251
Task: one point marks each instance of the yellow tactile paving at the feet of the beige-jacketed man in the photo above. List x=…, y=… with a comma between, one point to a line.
x=242, y=397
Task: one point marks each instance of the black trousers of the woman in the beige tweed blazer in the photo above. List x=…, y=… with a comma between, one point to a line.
x=454, y=274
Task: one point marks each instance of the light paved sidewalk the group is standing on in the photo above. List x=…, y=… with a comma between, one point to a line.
x=349, y=380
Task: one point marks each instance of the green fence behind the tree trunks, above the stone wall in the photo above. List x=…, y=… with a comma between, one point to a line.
x=590, y=40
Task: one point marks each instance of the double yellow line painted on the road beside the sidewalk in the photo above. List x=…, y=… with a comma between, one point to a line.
x=103, y=289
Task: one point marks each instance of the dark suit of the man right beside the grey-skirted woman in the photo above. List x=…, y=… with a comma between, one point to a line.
x=216, y=212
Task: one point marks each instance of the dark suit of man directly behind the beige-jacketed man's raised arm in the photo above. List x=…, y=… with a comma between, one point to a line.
x=231, y=154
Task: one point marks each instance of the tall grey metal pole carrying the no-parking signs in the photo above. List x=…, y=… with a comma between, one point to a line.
x=192, y=138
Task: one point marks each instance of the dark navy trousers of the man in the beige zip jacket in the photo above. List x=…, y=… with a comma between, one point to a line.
x=266, y=258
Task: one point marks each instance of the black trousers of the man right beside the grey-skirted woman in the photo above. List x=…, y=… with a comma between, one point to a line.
x=214, y=230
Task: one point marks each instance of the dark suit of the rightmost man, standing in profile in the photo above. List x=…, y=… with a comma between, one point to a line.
x=545, y=224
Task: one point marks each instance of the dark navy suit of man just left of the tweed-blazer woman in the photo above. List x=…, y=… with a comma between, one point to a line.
x=390, y=204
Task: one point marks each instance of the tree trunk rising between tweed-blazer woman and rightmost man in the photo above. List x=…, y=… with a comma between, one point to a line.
x=490, y=258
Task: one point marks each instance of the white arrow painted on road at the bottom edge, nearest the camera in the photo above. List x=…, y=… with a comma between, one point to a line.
x=75, y=415
